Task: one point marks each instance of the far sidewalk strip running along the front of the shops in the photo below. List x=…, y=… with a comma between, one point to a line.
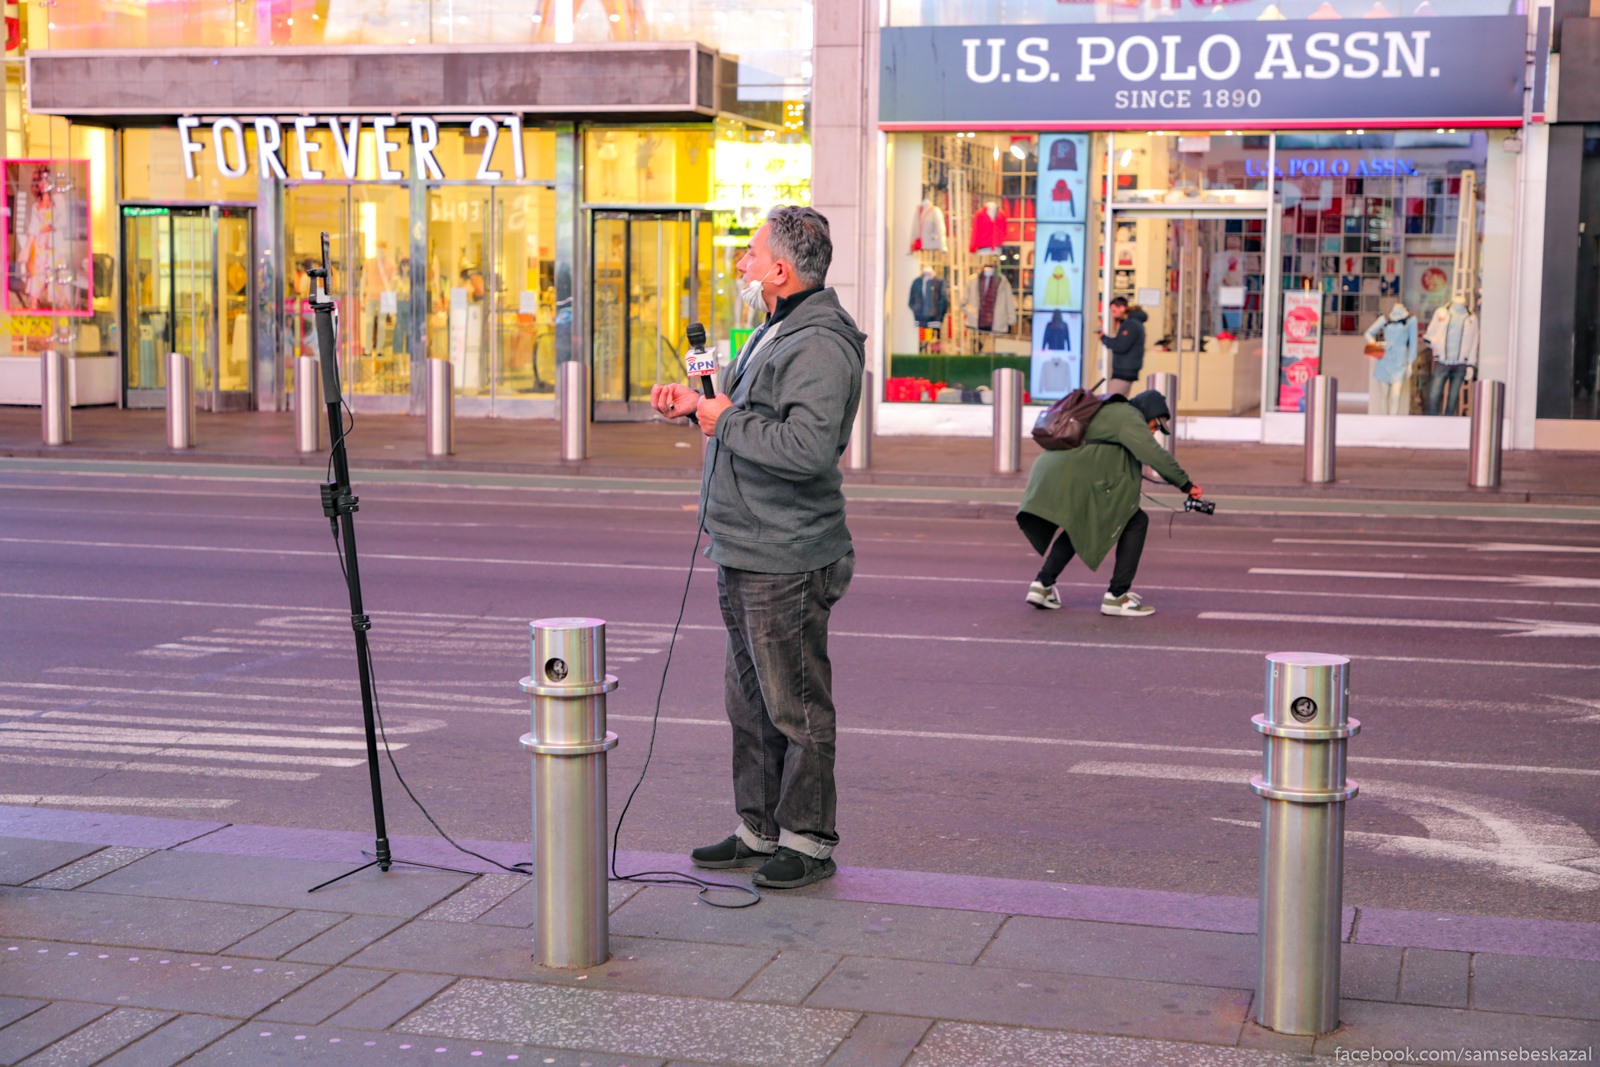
x=662, y=452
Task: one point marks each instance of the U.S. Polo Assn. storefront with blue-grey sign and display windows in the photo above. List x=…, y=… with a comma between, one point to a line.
x=1282, y=190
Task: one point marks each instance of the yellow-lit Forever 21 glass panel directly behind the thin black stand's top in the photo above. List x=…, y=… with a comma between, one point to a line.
x=369, y=241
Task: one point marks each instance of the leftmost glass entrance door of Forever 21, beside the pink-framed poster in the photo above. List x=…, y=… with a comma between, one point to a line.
x=188, y=290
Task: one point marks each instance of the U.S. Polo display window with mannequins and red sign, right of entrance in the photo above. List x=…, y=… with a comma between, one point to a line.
x=1382, y=255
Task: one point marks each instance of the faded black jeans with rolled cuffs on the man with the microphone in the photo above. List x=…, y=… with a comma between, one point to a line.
x=780, y=701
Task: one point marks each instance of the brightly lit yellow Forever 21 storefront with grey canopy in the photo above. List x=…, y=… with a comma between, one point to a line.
x=503, y=186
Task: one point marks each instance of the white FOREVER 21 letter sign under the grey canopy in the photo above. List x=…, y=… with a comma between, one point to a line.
x=308, y=159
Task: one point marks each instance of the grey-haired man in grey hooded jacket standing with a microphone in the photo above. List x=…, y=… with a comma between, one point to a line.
x=775, y=511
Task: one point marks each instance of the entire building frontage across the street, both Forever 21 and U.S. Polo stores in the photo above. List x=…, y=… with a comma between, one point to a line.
x=1399, y=194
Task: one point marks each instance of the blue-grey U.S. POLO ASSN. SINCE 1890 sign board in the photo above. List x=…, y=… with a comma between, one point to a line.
x=1458, y=71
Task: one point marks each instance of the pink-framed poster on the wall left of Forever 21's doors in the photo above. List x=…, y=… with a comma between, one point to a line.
x=47, y=238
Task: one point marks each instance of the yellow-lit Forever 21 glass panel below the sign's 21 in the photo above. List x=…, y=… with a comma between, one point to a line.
x=492, y=292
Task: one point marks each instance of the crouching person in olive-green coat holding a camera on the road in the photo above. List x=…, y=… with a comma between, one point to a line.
x=1092, y=495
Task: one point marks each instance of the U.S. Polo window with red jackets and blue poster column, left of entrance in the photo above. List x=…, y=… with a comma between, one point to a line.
x=994, y=250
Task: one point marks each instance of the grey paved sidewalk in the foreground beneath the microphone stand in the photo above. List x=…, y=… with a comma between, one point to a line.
x=142, y=941
